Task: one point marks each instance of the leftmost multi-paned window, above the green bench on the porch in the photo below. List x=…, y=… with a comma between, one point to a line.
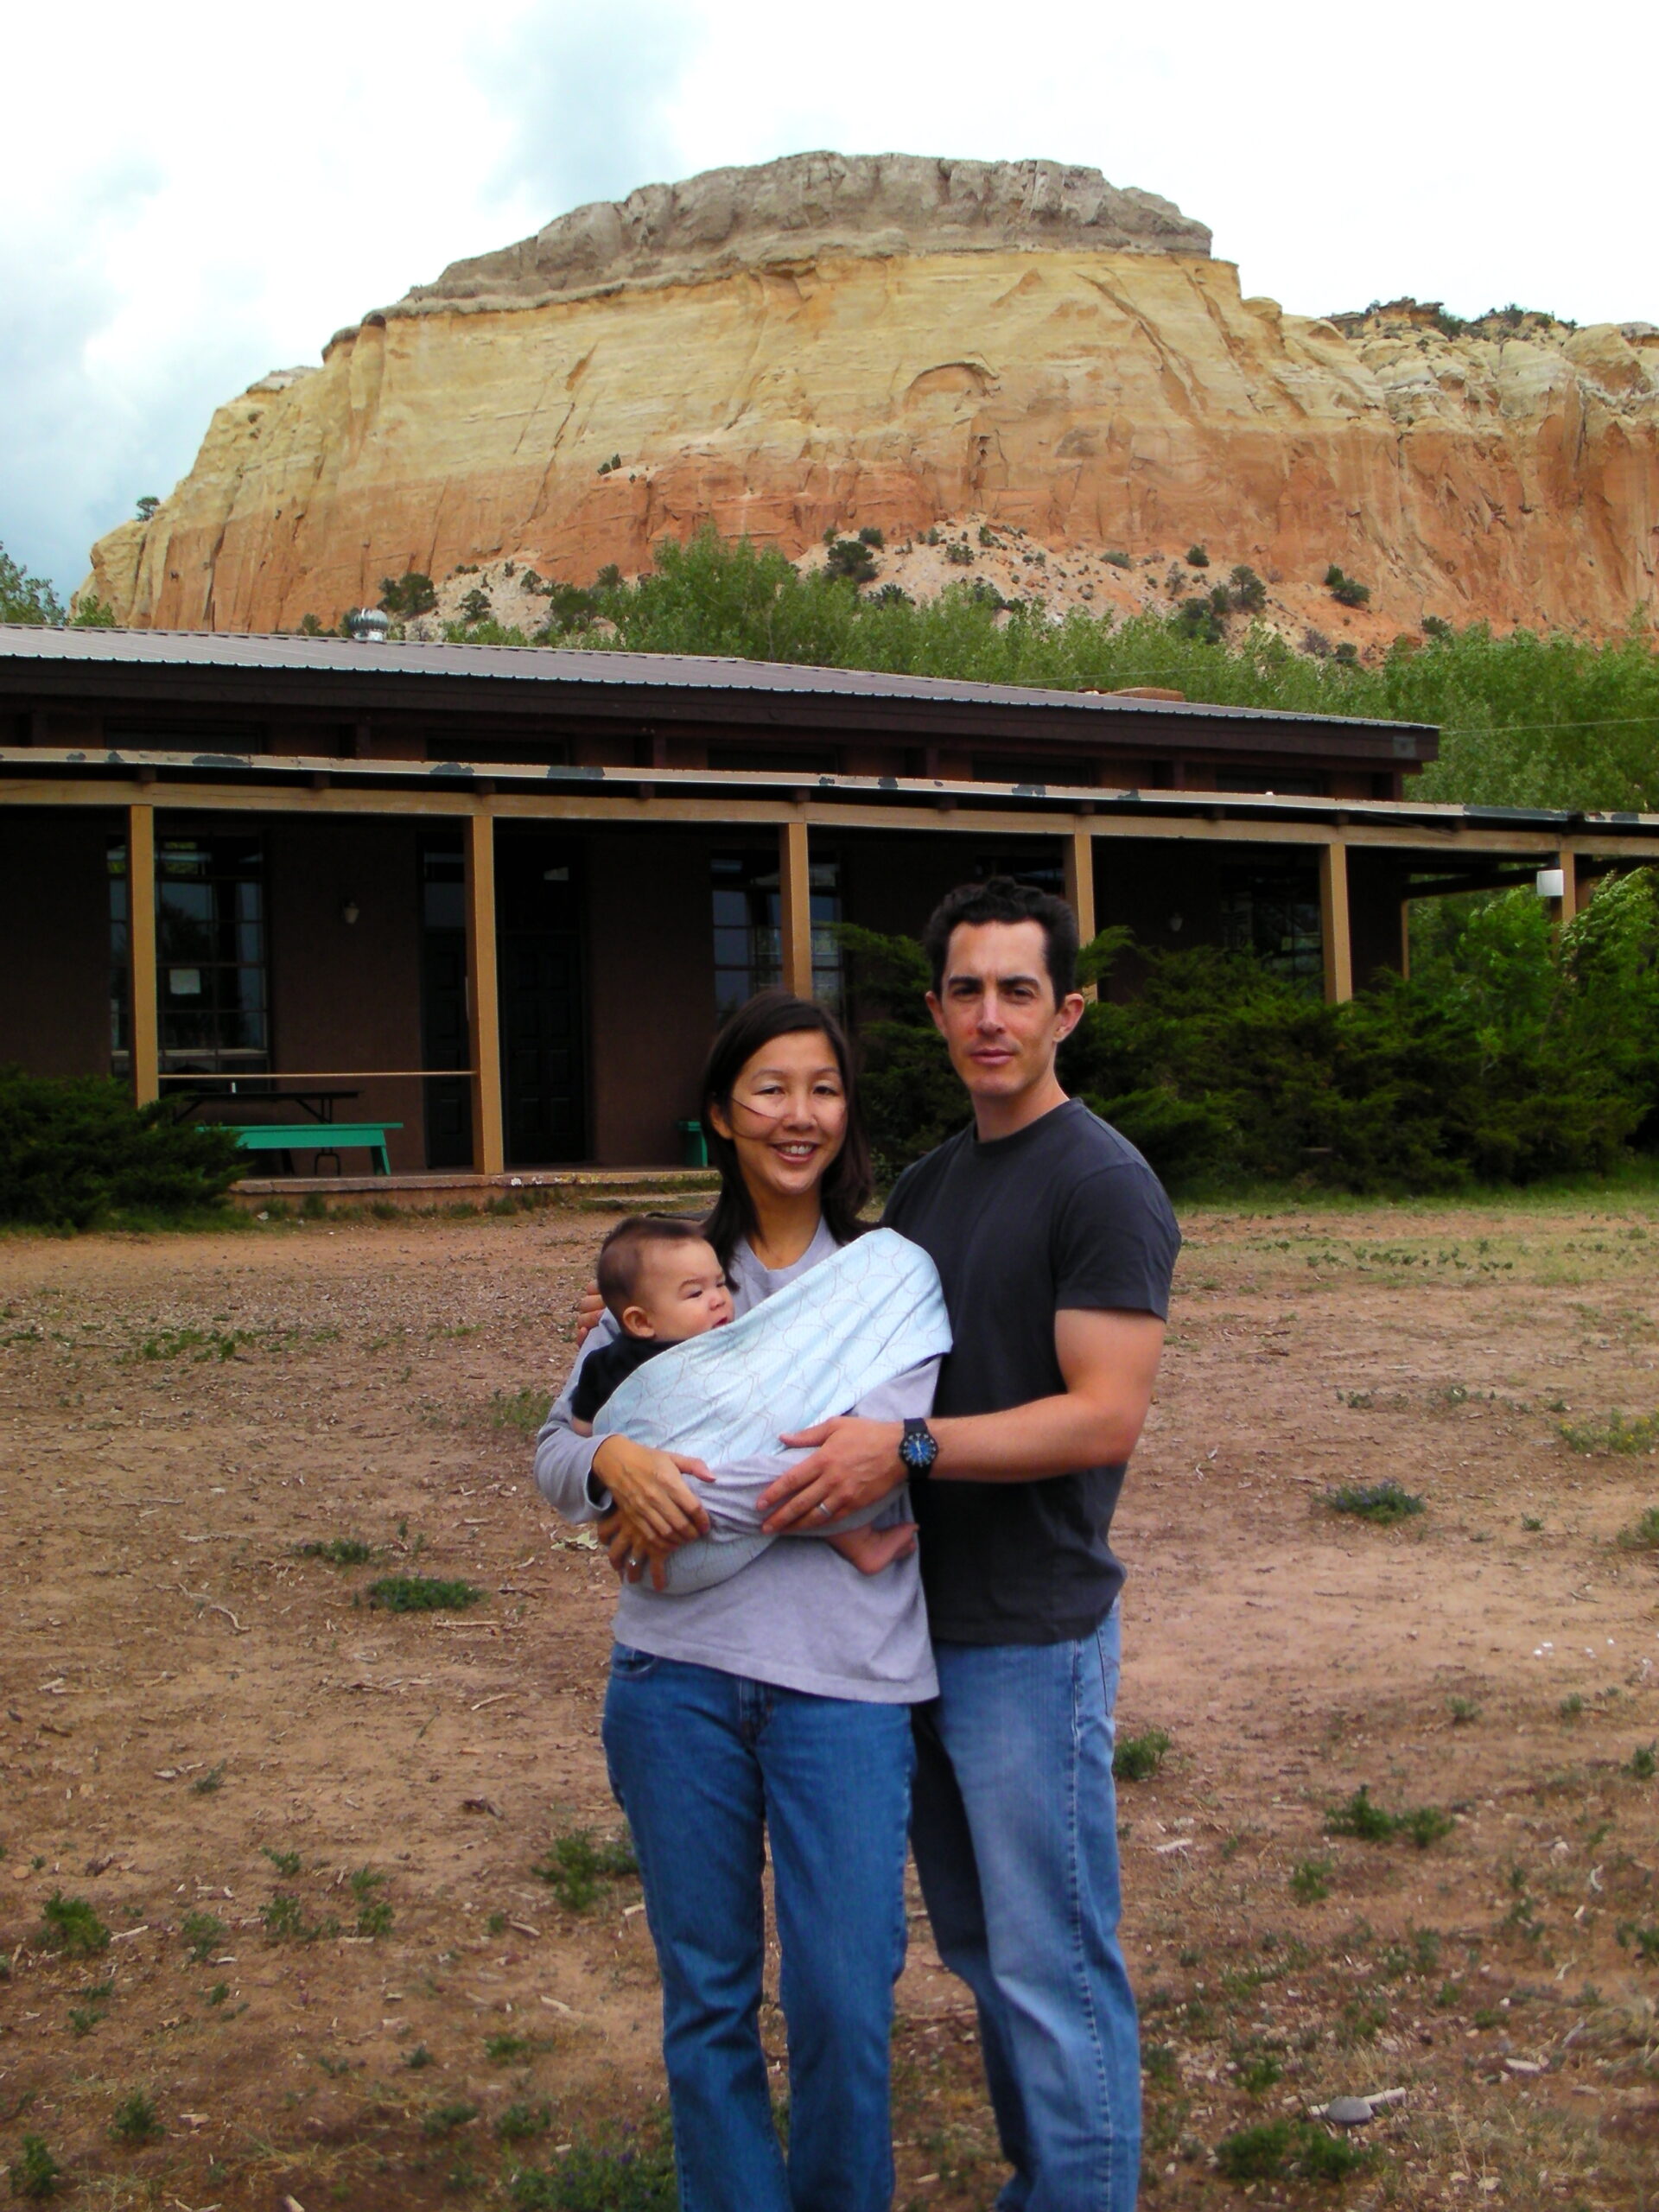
x=209, y=954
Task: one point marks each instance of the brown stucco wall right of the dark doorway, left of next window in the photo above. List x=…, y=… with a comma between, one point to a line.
x=651, y=988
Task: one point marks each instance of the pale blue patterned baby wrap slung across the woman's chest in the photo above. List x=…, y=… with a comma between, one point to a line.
x=813, y=1350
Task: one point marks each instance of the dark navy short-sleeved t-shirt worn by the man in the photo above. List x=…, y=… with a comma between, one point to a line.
x=1061, y=1215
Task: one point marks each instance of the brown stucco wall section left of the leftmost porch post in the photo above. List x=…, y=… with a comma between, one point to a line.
x=54, y=937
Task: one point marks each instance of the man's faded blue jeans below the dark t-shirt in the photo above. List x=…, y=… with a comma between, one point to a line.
x=1016, y=1844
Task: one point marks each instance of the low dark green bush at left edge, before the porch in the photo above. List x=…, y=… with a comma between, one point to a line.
x=74, y=1149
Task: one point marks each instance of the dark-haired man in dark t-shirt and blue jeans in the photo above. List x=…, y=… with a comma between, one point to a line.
x=1056, y=1249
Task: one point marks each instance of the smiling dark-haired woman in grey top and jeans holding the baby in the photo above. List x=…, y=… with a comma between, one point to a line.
x=773, y=1707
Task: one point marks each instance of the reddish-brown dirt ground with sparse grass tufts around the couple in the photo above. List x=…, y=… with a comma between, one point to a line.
x=317, y=1952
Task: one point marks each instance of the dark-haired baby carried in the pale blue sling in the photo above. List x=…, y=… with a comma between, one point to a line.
x=662, y=1282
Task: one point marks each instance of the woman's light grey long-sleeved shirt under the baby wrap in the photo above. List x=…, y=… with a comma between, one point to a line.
x=800, y=1616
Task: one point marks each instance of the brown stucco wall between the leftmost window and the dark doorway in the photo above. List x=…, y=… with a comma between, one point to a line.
x=348, y=997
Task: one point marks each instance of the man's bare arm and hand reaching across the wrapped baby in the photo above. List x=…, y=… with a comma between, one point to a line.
x=1109, y=1366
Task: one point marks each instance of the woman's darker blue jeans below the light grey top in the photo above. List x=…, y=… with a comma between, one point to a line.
x=707, y=1766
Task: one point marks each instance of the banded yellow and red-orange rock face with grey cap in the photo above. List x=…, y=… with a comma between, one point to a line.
x=906, y=342
